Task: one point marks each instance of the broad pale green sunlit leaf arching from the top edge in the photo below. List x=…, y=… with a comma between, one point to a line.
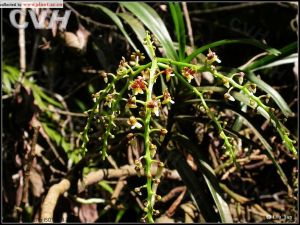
x=154, y=23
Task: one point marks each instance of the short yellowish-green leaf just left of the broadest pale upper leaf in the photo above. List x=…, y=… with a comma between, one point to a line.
x=136, y=26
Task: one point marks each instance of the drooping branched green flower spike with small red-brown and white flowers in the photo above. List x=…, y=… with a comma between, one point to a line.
x=144, y=106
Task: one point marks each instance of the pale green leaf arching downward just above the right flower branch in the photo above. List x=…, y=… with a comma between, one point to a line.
x=272, y=92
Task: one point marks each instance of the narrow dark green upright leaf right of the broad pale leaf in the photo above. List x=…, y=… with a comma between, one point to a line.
x=179, y=27
